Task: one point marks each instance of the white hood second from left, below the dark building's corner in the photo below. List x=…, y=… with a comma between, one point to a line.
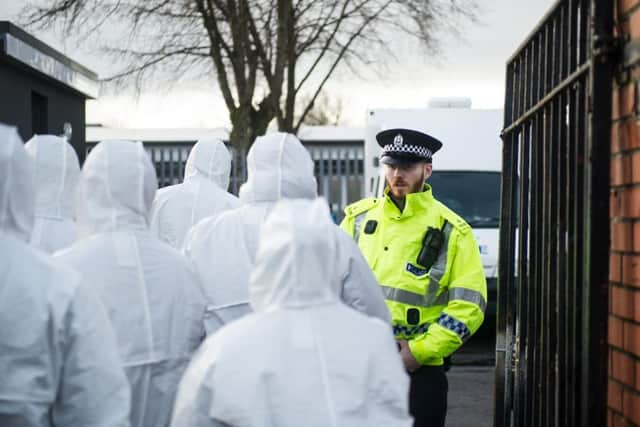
x=56, y=174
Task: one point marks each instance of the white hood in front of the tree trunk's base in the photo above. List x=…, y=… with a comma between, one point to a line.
x=278, y=166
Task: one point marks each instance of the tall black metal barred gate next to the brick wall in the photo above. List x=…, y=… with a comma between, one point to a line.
x=551, y=349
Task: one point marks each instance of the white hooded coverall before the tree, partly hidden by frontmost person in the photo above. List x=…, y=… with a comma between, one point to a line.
x=222, y=249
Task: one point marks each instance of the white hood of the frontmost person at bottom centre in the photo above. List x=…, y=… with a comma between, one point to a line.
x=295, y=261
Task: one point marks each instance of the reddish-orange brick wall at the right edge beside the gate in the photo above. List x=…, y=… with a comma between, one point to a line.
x=624, y=271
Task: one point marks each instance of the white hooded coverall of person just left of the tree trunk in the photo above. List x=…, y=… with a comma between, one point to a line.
x=203, y=193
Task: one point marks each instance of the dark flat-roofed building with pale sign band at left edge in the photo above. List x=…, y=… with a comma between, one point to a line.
x=41, y=90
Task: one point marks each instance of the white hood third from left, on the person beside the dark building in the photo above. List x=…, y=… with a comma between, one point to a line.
x=116, y=189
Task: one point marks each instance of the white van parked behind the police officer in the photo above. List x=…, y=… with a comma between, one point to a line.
x=466, y=171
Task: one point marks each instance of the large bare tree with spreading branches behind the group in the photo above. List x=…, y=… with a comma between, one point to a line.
x=263, y=53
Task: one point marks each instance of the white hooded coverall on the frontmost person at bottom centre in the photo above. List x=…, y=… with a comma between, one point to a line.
x=303, y=358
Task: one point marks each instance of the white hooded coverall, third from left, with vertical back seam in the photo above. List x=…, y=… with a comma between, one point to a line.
x=153, y=298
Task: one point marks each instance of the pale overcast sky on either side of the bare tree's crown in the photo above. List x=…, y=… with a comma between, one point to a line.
x=471, y=67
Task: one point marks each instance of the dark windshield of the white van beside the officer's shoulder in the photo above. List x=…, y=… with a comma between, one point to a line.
x=475, y=196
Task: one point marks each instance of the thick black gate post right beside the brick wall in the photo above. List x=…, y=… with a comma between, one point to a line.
x=594, y=362
